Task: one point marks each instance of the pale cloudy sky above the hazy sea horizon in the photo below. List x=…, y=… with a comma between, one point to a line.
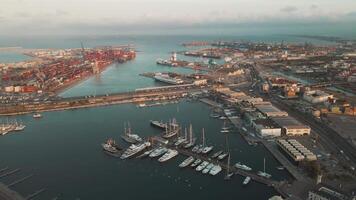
x=109, y=16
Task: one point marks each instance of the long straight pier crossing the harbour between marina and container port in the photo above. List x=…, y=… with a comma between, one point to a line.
x=138, y=96
